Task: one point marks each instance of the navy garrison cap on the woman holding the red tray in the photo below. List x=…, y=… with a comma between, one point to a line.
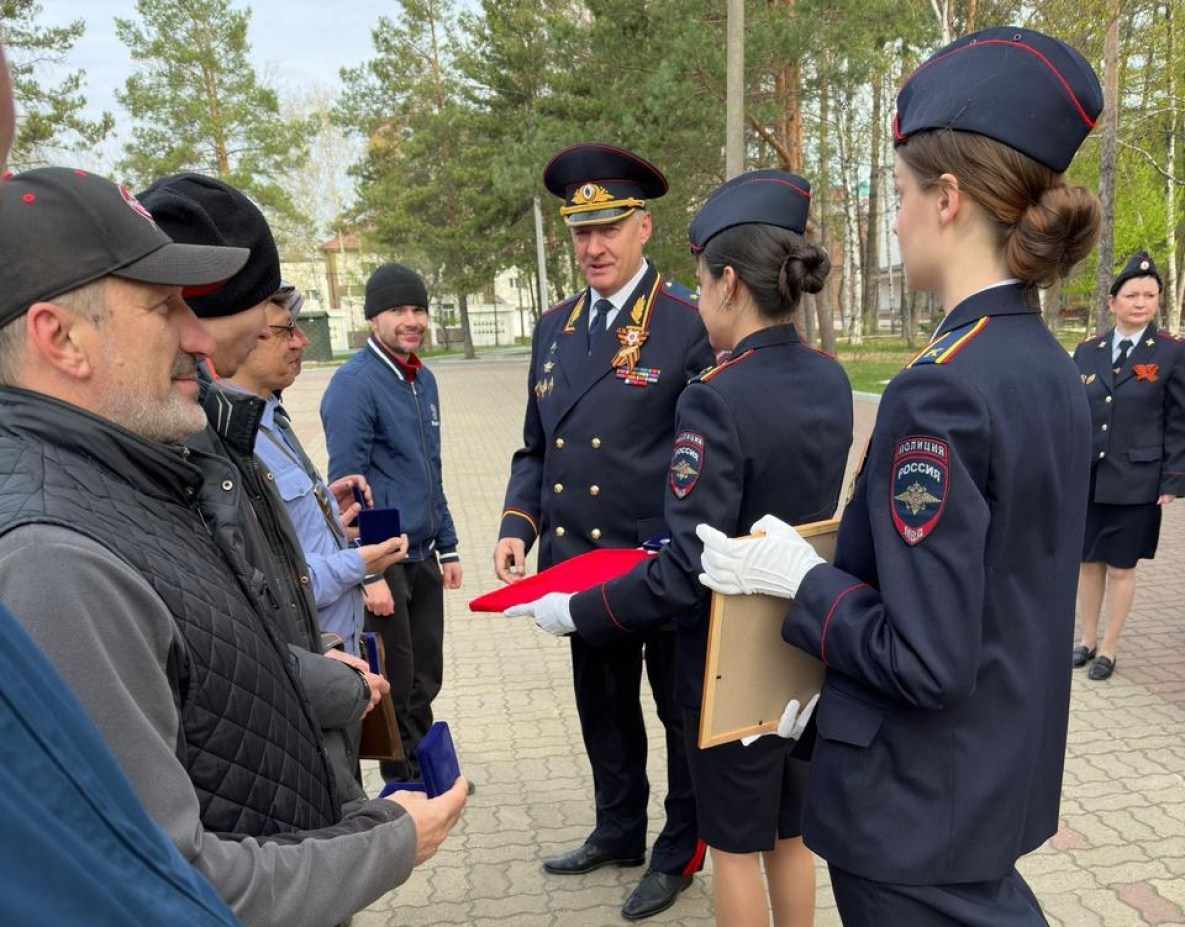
x=759, y=197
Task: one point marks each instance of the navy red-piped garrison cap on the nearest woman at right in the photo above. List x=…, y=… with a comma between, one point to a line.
x=1019, y=87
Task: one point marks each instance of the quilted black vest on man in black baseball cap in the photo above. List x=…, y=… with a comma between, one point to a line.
x=248, y=738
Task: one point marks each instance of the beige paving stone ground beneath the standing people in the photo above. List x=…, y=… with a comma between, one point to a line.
x=1118, y=861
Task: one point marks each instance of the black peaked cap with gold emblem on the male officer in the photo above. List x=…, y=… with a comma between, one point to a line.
x=601, y=184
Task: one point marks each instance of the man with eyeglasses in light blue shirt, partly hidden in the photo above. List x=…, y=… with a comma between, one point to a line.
x=343, y=577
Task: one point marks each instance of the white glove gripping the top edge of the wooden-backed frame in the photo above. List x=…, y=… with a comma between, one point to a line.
x=773, y=565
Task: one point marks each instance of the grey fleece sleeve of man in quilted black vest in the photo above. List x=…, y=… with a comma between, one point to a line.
x=110, y=635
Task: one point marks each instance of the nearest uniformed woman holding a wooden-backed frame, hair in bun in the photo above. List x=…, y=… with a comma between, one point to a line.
x=945, y=619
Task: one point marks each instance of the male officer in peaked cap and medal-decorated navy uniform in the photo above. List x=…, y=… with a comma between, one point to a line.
x=607, y=369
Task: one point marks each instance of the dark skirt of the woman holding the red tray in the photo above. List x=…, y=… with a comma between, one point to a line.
x=747, y=798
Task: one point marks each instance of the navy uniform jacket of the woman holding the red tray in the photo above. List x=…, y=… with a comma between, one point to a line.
x=767, y=432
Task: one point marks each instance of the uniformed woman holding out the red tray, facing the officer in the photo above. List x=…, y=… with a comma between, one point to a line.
x=766, y=432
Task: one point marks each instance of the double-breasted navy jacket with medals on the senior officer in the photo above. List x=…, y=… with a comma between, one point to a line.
x=597, y=442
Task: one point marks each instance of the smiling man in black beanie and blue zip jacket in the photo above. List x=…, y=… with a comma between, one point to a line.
x=382, y=419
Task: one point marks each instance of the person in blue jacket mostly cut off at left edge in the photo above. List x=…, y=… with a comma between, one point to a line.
x=50, y=755
